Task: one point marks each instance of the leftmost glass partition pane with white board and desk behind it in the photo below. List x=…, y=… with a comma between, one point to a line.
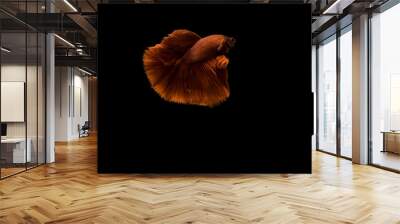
x=14, y=153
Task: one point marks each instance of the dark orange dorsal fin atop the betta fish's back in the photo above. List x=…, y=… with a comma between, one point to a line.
x=180, y=41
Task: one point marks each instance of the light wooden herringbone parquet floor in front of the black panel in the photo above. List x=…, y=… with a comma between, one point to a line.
x=70, y=191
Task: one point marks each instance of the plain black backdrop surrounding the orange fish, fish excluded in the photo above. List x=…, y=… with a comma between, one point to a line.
x=264, y=127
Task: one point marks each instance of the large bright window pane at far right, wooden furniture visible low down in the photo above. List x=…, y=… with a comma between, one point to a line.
x=385, y=88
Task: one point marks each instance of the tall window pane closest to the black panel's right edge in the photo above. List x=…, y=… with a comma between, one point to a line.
x=327, y=96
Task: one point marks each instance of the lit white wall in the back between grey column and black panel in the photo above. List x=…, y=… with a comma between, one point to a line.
x=71, y=102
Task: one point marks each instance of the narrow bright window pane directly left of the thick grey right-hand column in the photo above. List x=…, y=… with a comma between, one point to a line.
x=346, y=94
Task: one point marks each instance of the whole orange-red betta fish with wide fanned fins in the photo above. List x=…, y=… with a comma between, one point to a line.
x=187, y=69
